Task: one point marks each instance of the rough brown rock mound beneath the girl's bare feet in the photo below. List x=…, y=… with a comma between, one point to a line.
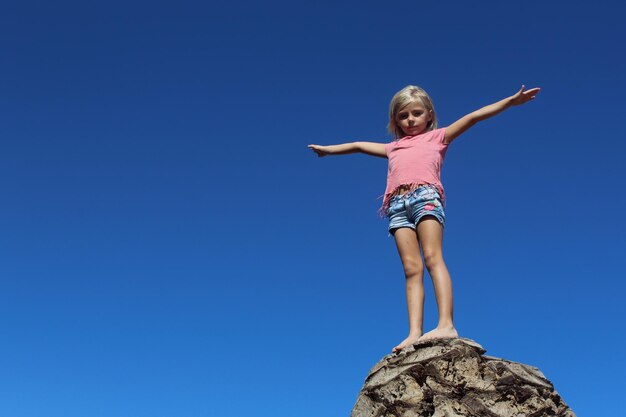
x=453, y=378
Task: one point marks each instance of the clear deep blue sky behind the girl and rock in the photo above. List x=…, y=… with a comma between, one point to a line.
x=170, y=247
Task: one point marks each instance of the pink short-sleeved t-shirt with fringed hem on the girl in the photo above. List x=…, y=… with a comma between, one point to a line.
x=414, y=161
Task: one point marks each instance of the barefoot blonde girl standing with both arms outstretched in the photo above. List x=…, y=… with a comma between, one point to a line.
x=414, y=197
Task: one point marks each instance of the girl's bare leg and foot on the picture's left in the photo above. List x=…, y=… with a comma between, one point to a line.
x=409, y=251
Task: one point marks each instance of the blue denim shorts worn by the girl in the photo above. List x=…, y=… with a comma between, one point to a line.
x=407, y=210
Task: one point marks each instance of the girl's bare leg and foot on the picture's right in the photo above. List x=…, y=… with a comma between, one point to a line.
x=430, y=233
